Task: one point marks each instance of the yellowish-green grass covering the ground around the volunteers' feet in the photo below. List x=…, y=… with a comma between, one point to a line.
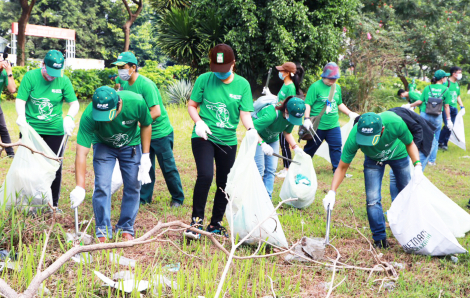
x=422, y=276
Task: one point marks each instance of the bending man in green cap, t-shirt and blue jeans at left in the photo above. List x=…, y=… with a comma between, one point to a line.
x=111, y=124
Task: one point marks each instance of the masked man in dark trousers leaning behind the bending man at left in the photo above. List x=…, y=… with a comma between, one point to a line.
x=162, y=131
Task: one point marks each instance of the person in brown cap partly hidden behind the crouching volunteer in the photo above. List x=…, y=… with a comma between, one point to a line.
x=291, y=74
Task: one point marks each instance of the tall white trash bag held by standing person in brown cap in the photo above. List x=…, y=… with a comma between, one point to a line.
x=250, y=200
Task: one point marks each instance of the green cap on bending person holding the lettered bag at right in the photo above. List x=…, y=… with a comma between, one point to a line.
x=369, y=129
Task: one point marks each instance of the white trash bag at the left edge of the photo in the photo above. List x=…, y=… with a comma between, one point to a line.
x=28, y=181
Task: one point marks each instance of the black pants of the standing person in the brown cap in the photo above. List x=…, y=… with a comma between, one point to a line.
x=205, y=152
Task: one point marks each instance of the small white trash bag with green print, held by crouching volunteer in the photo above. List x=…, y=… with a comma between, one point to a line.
x=300, y=182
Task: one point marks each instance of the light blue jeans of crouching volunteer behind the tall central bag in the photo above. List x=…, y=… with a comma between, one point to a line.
x=267, y=166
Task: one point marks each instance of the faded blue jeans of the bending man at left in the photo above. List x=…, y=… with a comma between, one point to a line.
x=104, y=159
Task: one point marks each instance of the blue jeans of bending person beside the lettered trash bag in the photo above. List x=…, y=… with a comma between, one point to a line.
x=373, y=175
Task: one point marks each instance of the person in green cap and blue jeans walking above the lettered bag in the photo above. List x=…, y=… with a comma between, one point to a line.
x=437, y=89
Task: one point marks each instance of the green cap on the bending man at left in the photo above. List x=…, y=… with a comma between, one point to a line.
x=105, y=101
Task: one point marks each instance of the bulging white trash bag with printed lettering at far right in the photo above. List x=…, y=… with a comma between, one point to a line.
x=416, y=224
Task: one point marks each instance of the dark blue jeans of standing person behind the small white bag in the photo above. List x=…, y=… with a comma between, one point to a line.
x=333, y=138
